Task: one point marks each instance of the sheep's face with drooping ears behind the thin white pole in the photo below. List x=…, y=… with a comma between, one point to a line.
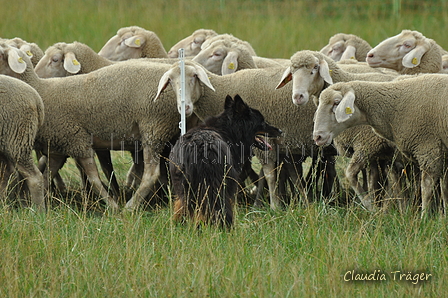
x=194, y=75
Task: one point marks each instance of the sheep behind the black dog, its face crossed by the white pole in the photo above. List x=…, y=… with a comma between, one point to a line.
x=257, y=87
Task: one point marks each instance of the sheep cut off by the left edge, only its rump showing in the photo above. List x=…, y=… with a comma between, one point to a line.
x=22, y=114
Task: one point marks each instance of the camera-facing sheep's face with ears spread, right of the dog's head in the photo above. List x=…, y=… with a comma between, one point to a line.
x=308, y=75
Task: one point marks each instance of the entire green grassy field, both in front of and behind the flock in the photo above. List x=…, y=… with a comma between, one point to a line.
x=314, y=251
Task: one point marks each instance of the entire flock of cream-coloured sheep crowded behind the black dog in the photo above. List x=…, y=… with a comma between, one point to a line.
x=73, y=102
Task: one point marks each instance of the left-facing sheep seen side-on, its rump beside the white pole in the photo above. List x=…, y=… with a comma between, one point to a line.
x=106, y=109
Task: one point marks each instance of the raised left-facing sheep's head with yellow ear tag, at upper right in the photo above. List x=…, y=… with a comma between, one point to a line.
x=404, y=50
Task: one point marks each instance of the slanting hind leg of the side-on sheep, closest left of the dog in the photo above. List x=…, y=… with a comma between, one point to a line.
x=150, y=176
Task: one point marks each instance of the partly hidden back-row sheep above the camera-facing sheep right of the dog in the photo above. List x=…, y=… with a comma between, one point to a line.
x=346, y=46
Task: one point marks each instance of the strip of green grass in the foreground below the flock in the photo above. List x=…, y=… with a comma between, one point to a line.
x=296, y=253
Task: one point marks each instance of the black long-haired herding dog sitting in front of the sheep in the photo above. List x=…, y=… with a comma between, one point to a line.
x=207, y=161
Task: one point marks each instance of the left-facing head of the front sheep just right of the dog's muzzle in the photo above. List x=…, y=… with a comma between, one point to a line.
x=333, y=115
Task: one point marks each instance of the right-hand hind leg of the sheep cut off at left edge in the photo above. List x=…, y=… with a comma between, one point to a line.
x=34, y=181
